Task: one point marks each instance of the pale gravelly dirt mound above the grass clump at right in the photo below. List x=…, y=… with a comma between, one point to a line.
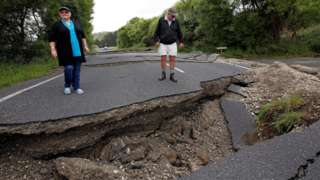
x=279, y=80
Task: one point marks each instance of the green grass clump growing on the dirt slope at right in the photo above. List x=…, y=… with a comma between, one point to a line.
x=280, y=116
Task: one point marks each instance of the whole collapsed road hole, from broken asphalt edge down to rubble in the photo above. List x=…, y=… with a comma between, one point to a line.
x=164, y=138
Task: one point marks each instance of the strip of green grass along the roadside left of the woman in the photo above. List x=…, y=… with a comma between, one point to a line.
x=11, y=73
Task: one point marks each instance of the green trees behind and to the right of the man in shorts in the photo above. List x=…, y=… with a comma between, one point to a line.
x=258, y=27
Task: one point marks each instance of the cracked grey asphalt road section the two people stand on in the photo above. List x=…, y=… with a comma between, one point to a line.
x=107, y=88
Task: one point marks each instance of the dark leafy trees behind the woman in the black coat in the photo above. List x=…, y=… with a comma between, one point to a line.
x=24, y=25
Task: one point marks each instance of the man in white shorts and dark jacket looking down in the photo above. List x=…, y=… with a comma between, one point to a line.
x=167, y=35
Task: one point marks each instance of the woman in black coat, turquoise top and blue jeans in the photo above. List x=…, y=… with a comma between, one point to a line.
x=68, y=43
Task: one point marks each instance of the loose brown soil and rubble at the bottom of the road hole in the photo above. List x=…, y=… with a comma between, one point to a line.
x=182, y=145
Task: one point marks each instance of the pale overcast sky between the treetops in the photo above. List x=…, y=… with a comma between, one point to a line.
x=110, y=15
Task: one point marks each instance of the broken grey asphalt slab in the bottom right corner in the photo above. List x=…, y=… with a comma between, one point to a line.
x=278, y=158
